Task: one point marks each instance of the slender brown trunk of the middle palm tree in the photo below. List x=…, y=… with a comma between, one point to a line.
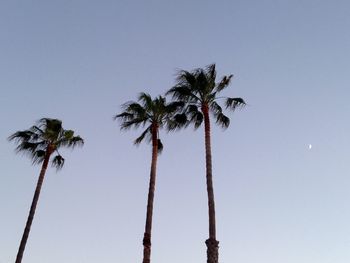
x=152, y=182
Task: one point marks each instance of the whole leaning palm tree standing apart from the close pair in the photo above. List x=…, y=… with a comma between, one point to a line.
x=39, y=143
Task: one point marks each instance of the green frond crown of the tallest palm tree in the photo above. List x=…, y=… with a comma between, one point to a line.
x=200, y=91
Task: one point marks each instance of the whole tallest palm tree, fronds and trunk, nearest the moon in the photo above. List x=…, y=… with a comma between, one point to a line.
x=199, y=91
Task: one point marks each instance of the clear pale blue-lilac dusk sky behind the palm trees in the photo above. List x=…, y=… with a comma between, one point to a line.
x=277, y=200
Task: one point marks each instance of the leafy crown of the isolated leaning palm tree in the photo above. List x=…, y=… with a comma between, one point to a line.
x=45, y=137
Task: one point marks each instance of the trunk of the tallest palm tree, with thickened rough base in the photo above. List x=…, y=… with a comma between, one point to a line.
x=212, y=243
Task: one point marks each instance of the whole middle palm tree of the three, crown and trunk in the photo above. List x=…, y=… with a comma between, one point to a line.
x=153, y=114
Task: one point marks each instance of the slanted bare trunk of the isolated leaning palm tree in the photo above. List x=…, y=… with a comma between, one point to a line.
x=33, y=206
